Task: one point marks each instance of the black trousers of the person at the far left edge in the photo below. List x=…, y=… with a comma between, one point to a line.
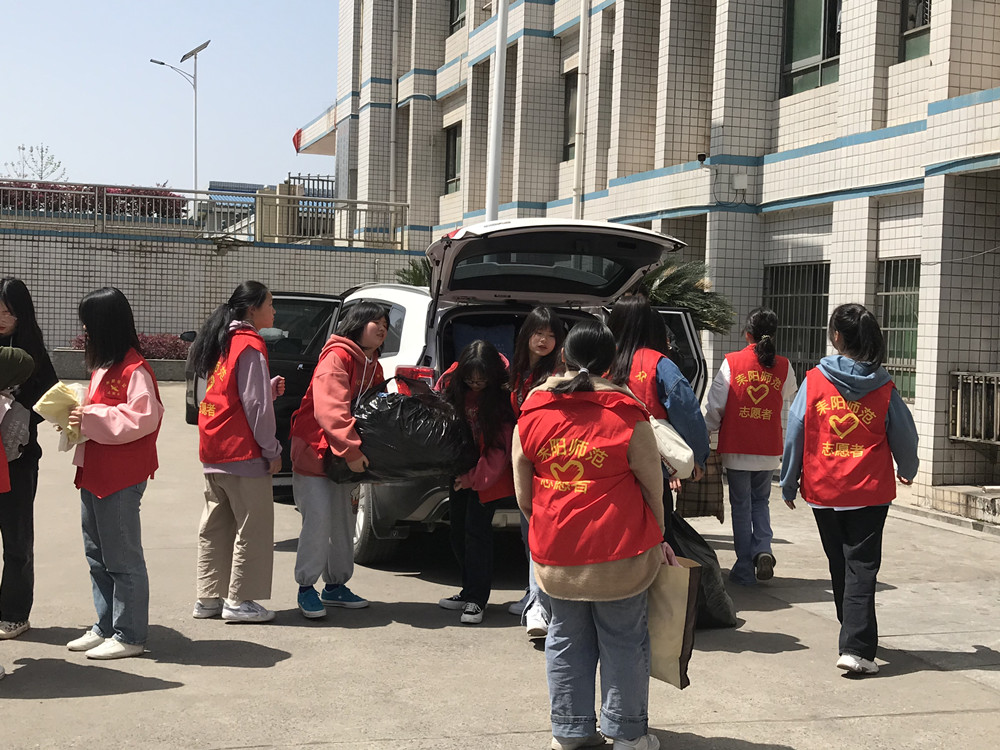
x=17, y=528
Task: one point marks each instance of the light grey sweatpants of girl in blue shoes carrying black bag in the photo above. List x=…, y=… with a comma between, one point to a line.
x=326, y=542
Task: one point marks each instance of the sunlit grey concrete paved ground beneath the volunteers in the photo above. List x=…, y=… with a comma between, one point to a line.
x=406, y=674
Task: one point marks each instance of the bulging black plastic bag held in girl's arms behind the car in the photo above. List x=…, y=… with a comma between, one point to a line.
x=406, y=436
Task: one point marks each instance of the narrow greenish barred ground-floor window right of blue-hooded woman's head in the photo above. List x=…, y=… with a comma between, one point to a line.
x=897, y=297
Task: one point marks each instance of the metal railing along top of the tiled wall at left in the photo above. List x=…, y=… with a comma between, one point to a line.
x=286, y=215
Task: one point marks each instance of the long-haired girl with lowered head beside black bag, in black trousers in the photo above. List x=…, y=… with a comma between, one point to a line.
x=477, y=388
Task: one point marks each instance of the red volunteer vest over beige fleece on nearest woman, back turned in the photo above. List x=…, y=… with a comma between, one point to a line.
x=587, y=506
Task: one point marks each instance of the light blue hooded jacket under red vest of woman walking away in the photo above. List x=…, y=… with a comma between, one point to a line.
x=853, y=380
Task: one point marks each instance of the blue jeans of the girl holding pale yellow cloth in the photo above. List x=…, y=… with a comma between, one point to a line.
x=112, y=541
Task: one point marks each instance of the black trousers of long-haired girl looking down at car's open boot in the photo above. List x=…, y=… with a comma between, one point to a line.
x=472, y=543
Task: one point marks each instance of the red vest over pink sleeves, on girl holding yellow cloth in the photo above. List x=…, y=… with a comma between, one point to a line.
x=109, y=468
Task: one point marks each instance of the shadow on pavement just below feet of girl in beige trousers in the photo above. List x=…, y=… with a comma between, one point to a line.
x=167, y=646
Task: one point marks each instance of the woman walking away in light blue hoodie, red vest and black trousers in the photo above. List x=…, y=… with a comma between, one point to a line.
x=846, y=427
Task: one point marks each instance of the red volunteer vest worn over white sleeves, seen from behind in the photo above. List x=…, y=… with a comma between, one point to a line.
x=752, y=422
